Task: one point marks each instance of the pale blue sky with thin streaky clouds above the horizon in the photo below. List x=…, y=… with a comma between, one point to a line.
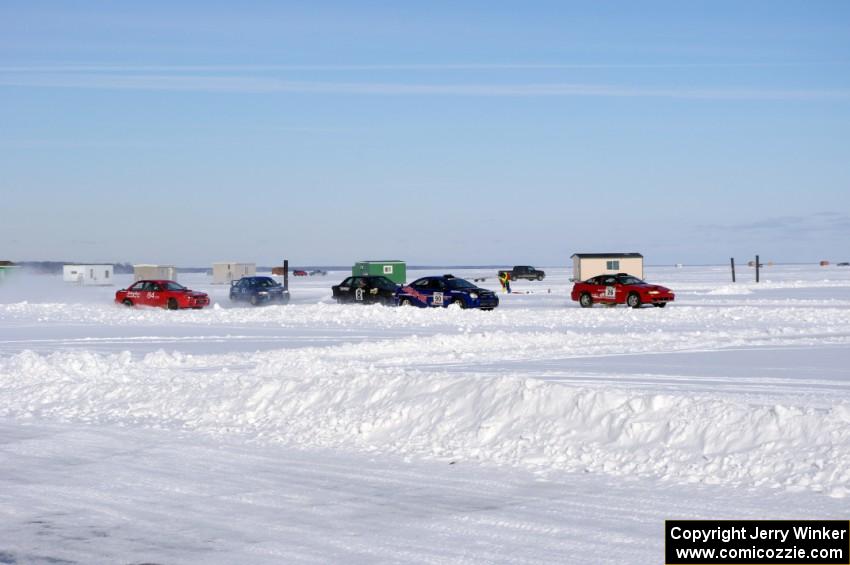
x=438, y=133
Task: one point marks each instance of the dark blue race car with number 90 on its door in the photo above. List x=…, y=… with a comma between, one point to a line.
x=446, y=290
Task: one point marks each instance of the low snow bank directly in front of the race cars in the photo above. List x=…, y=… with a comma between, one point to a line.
x=565, y=316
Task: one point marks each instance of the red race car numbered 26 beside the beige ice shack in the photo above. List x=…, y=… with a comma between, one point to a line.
x=620, y=289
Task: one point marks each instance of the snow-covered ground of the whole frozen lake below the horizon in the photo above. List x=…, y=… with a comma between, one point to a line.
x=313, y=432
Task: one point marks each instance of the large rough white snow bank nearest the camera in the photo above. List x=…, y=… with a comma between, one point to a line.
x=332, y=397
